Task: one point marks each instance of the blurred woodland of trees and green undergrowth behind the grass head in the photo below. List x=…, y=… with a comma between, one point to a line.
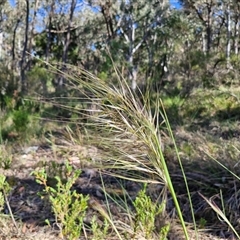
x=187, y=52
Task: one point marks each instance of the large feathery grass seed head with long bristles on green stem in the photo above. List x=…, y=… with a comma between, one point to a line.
x=125, y=128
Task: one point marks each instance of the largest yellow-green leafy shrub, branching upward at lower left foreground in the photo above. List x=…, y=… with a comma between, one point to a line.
x=68, y=206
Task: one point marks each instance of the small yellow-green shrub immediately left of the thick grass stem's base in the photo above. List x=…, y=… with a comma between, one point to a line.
x=146, y=212
